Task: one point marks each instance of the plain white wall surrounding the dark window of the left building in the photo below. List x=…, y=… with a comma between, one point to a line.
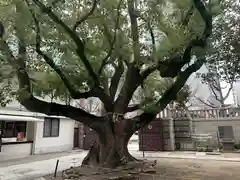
x=54, y=144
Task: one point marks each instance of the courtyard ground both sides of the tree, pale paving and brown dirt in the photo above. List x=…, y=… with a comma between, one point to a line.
x=170, y=166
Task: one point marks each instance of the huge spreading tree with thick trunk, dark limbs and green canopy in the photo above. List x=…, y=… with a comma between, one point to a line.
x=108, y=50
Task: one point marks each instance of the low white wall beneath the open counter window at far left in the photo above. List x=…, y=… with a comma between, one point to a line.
x=12, y=151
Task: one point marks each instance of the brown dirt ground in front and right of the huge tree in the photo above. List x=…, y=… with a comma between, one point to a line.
x=167, y=169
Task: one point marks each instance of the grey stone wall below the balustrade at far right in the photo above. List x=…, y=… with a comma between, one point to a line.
x=211, y=126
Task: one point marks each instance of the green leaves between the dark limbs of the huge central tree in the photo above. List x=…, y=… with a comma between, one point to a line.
x=97, y=31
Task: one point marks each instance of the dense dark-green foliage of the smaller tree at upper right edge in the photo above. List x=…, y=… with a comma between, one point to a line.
x=223, y=55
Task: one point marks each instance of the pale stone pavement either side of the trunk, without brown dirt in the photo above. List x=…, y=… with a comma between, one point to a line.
x=28, y=170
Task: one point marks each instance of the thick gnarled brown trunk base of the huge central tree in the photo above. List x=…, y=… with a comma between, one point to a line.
x=111, y=148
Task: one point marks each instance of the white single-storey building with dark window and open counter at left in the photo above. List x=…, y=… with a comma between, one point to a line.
x=25, y=133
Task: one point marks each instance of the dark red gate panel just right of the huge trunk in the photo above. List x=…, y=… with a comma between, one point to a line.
x=151, y=136
